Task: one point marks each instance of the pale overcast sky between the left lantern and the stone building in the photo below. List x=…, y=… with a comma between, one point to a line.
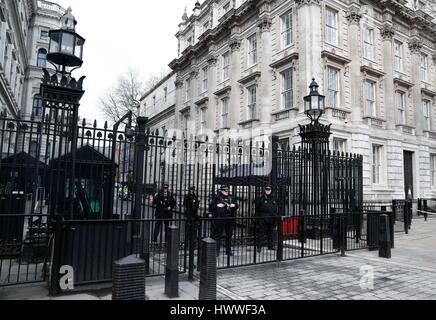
x=120, y=34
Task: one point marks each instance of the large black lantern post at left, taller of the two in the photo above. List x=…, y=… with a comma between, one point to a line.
x=61, y=95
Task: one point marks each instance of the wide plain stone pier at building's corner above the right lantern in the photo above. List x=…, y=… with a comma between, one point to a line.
x=309, y=40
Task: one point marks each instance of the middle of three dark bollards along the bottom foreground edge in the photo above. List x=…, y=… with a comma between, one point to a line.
x=172, y=268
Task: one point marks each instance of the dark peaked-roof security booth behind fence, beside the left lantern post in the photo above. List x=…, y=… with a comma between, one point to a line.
x=94, y=182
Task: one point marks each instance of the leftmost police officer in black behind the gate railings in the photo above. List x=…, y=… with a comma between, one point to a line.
x=165, y=204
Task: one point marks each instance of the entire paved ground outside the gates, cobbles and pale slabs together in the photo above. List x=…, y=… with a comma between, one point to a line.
x=409, y=275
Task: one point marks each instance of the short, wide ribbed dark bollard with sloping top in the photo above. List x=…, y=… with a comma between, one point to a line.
x=129, y=279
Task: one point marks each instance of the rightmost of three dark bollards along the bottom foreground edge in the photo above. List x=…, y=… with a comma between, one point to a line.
x=208, y=272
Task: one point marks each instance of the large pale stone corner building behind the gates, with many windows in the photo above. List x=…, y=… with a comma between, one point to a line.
x=247, y=64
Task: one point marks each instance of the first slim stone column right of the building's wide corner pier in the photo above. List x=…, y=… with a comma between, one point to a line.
x=353, y=17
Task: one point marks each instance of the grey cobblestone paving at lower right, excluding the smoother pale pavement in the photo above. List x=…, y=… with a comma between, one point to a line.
x=328, y=278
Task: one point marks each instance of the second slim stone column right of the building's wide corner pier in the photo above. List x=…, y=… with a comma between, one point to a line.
x=387, y=33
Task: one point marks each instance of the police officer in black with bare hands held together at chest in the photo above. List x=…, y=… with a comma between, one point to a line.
x=223, y=209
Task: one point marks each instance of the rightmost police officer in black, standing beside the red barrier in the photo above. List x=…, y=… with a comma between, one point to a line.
x=266, y=218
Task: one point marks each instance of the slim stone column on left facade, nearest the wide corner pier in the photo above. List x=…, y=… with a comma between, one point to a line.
x=265, y=92
